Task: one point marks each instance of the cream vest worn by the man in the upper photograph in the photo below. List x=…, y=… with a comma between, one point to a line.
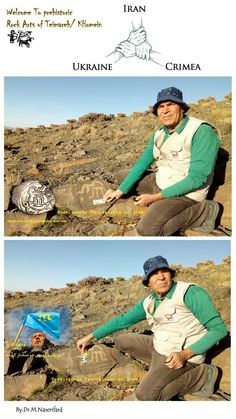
x=173, y=158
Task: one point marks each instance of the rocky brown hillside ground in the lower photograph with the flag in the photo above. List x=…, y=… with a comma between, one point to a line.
x=109, y=374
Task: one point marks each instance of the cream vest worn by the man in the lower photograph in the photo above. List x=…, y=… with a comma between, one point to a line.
x=174, y=326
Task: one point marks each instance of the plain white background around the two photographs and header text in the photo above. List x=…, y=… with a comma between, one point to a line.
x=206, y=25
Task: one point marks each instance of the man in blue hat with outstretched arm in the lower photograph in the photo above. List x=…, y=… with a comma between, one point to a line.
x=185, y=325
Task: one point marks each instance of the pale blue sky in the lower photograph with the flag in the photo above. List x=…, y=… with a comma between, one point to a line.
x=33, y=264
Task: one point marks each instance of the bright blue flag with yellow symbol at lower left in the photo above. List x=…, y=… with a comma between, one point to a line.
x=45, y=322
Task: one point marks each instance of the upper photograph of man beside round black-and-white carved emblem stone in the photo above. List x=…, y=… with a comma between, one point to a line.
x=117, y=156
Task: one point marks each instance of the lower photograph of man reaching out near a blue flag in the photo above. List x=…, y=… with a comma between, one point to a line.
x=117, y=320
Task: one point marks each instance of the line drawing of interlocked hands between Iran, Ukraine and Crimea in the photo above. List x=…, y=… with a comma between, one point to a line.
x=136, y=45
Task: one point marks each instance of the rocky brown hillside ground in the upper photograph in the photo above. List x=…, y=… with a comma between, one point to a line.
x=70, y=158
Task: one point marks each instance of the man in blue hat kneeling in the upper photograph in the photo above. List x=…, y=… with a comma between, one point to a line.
x=185, y=150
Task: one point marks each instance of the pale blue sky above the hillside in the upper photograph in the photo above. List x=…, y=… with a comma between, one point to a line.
x=32, y=101
